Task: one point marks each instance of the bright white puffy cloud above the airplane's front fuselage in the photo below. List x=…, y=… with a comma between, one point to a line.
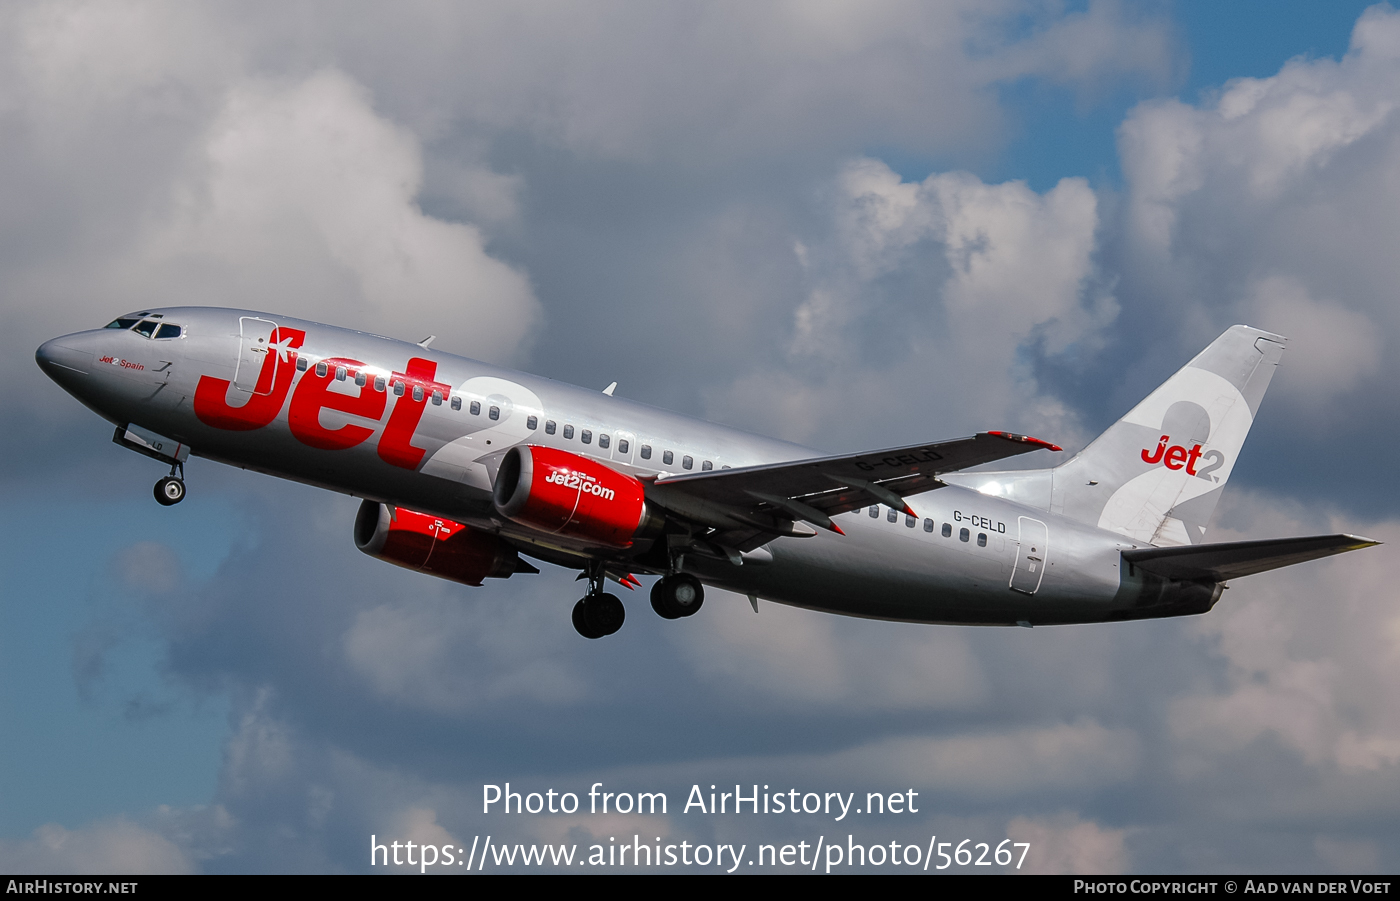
x=306, y=202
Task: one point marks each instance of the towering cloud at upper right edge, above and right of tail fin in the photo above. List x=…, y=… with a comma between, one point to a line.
x=1275, y=202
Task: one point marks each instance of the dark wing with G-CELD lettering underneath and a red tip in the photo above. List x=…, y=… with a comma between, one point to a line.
x=754, y=504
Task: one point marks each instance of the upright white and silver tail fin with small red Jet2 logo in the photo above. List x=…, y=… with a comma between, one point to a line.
x=1157, y=475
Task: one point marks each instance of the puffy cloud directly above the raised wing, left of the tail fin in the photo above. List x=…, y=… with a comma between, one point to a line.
x=979, y=272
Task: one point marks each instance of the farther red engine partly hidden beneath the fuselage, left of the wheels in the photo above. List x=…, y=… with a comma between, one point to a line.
x=433, y=545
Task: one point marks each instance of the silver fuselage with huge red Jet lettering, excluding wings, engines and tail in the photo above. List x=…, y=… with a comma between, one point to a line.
x=881, y=569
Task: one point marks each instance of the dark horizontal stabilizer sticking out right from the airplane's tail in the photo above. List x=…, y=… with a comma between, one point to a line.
x=1233, y=560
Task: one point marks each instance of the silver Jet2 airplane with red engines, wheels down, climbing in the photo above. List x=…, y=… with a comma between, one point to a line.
x=467, y=469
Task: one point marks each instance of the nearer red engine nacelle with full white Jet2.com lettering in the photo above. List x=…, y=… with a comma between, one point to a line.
x=570, y=496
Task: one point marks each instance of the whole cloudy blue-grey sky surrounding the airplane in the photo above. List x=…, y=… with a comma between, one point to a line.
x=849, y=226
